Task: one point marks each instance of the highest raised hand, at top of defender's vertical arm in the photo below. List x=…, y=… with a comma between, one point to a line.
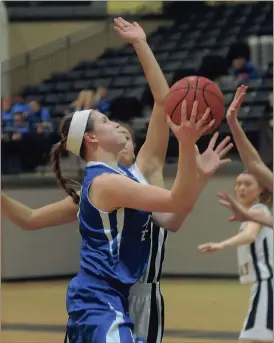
x=131, y=32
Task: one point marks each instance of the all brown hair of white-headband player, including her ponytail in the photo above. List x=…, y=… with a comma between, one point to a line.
x=67, y=184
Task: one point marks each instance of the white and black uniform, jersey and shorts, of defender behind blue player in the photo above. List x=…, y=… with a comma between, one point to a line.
x=146, y=303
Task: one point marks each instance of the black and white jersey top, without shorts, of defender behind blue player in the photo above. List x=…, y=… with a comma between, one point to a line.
x=158, y=241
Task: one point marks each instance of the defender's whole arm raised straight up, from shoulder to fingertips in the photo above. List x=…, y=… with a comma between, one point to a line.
x=151, y=157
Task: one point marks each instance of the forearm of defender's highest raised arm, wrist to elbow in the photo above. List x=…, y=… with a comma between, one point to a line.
x=154, y=75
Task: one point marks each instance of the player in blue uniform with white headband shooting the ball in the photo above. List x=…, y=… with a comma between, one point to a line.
x=115, y=211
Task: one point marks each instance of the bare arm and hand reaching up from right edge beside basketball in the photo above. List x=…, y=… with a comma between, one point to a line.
x=249, y=155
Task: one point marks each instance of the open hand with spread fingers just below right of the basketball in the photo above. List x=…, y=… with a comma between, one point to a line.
x=213, y=158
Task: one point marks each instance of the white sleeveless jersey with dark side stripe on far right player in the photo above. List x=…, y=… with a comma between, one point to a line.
x=256, y=260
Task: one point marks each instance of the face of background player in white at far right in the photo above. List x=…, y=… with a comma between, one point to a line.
x=247, y=190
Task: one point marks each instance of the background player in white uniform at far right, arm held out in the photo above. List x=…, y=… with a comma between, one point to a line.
x=255, y=259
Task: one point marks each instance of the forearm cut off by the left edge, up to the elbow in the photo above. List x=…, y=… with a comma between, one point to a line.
x=18, y=213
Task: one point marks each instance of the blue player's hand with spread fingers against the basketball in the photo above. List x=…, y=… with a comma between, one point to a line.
x=189, y=131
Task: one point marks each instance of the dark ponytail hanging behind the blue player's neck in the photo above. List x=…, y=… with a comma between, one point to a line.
x=65, y=183
